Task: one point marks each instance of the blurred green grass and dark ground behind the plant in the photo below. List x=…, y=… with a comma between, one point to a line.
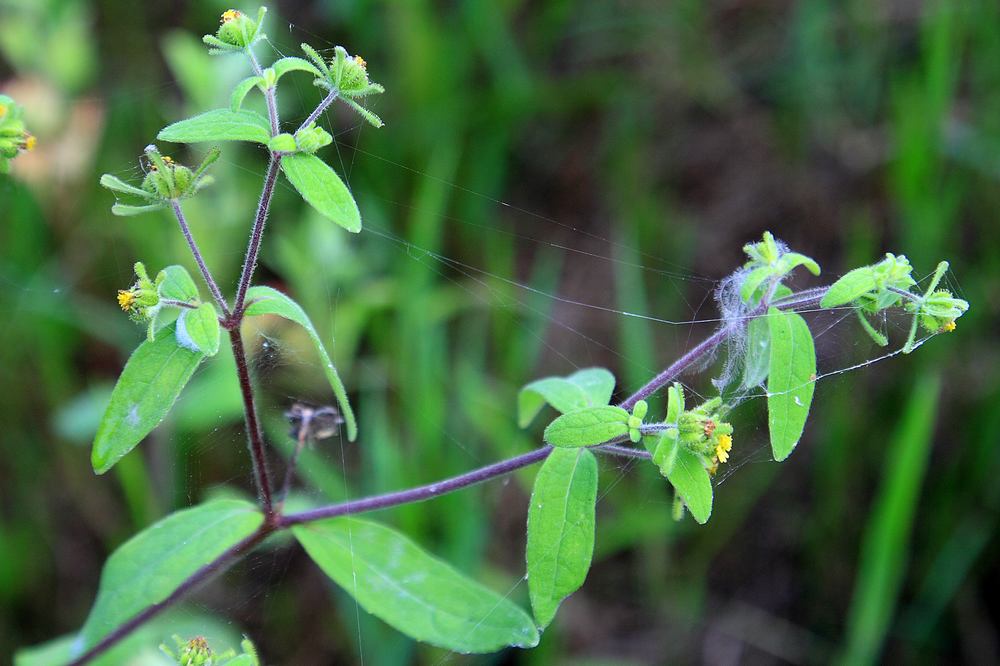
x=613, y=153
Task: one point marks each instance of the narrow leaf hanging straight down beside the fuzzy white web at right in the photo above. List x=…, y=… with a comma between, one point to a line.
x=791, y=380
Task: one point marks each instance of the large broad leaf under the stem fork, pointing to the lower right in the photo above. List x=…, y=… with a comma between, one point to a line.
x=423, y=597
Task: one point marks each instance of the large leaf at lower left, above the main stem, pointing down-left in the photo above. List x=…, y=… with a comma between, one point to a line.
x=151, y=565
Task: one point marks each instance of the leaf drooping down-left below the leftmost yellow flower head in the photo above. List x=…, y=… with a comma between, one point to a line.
x=146, y=390
